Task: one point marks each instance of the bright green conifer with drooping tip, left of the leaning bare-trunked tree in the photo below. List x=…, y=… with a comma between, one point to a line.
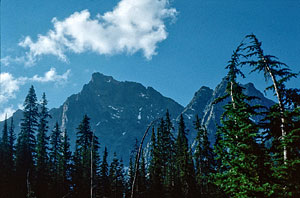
x=239, y=150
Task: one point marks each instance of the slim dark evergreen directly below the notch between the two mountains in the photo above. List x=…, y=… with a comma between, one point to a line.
x=184, y=162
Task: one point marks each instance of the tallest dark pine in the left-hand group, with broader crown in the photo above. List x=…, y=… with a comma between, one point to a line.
x=26, y=143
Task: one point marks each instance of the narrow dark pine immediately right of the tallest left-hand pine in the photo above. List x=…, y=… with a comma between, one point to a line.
x=42, y=160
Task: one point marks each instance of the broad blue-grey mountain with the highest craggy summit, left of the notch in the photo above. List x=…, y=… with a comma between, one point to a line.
x=119, y=112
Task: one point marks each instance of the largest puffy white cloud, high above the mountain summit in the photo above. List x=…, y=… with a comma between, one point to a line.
x=133, y=25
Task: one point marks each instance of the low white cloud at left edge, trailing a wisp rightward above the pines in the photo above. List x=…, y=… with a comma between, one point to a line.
x=10, y=85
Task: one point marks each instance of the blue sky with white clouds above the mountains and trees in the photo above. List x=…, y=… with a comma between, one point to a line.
x=174, y=46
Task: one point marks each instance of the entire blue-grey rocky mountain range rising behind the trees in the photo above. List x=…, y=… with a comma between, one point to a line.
x=121, y=111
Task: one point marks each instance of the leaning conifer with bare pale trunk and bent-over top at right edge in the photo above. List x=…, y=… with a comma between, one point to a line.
x=281, y=122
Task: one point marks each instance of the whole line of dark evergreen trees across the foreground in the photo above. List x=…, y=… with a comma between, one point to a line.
x=248, y=158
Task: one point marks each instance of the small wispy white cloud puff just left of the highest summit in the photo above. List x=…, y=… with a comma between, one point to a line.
x=52, y=76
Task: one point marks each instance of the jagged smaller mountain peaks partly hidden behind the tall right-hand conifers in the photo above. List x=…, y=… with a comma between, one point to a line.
x=210, y=113
